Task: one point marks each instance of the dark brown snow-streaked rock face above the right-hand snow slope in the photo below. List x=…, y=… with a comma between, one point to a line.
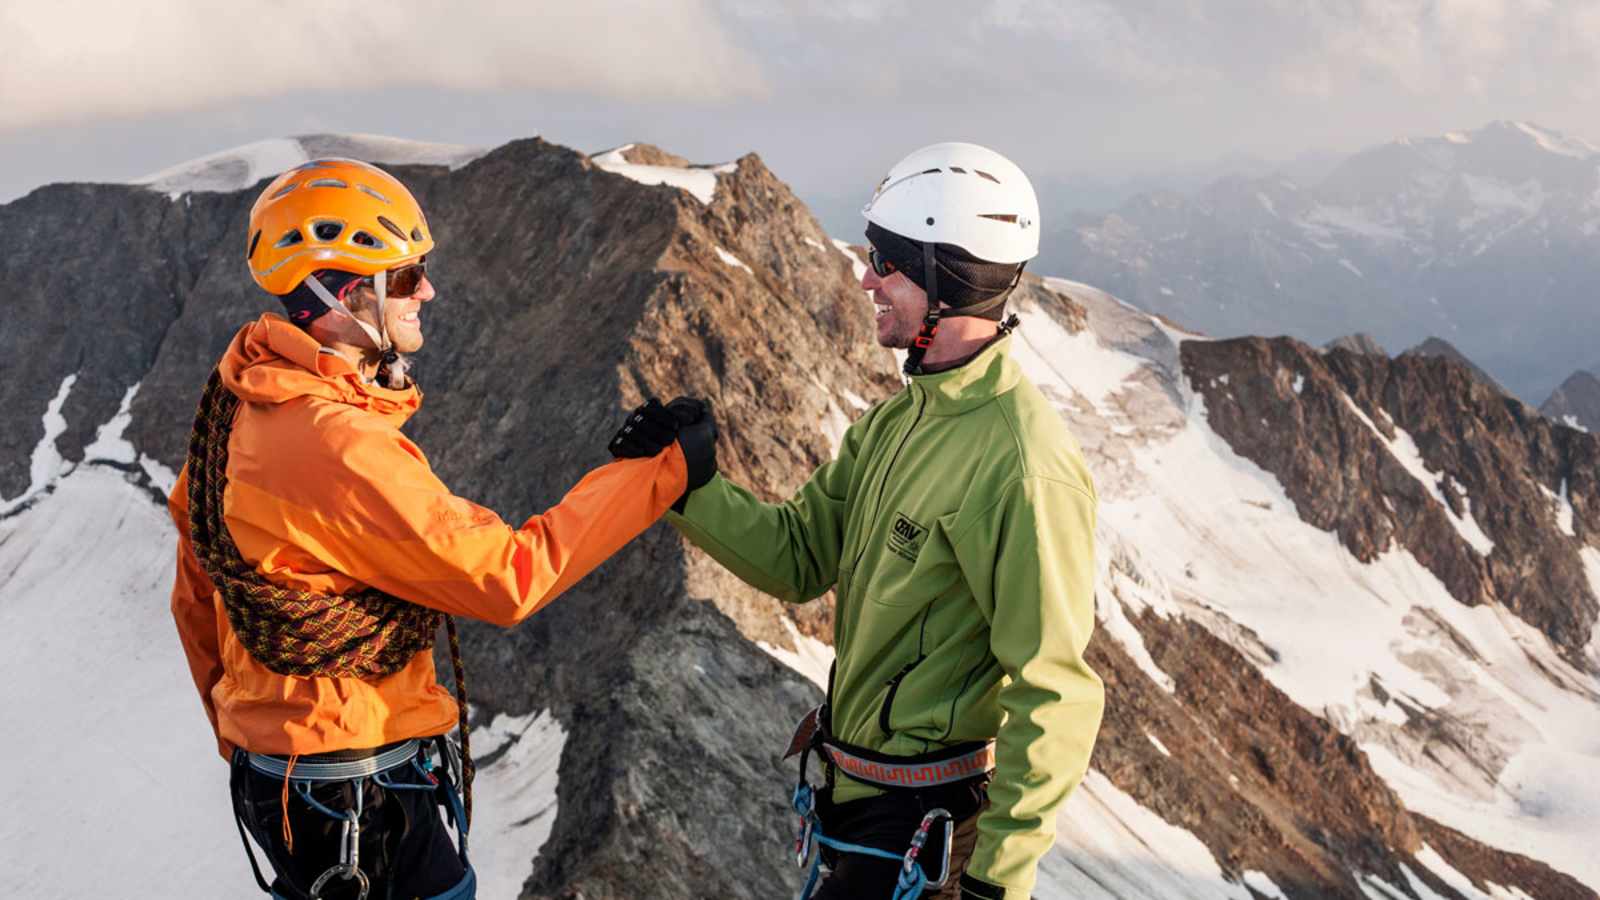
x=1327, y=425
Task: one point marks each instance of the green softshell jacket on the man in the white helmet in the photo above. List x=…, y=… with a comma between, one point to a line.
x=958, y=529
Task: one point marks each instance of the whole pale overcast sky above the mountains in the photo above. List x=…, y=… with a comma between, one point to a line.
x=830, y=94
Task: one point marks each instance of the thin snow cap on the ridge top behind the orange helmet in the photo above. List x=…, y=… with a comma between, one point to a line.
x=242, y=167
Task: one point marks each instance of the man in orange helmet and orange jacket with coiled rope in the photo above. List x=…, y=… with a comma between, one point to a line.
x=318, y=502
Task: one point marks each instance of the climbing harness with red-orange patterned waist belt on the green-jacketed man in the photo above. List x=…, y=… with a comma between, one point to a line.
x=889, y=773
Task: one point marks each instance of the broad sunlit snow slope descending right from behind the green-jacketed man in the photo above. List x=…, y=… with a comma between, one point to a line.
x=1225, y=547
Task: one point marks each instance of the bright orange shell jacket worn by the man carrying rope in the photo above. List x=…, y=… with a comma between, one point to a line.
x=326, y=494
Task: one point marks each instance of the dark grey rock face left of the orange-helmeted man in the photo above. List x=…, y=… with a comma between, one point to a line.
x=95, y=278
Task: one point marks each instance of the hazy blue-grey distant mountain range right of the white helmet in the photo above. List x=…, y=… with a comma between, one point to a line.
x=1489, y=239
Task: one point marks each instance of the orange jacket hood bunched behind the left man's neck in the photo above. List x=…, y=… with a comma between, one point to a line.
x=271, y=361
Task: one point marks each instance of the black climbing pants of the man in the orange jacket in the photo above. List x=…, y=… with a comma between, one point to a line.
x=406, y=848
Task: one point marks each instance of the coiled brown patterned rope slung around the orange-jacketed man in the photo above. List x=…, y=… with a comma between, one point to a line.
x=303, y=633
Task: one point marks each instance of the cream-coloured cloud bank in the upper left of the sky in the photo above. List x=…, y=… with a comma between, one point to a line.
x=78, y=60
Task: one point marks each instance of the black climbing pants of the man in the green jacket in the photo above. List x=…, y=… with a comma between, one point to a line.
x=887, y=824
